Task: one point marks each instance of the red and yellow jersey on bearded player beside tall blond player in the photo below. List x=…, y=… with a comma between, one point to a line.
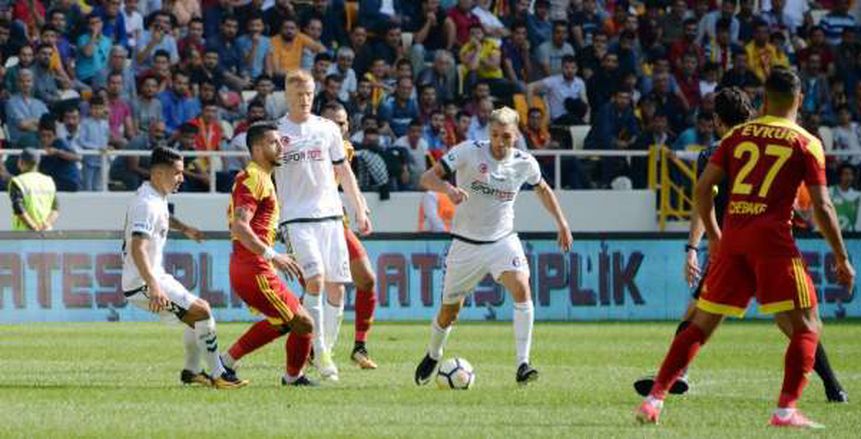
x=254, y=191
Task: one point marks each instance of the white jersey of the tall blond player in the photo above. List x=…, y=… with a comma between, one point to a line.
x=306, y=181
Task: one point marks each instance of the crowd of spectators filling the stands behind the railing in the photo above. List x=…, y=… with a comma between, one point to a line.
x=416, y=76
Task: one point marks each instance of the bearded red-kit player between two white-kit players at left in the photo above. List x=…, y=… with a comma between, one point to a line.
x=253, y=217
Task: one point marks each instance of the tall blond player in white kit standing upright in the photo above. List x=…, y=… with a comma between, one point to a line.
x=311, y=211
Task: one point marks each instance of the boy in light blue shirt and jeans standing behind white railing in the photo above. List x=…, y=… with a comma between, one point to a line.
x=94, y=136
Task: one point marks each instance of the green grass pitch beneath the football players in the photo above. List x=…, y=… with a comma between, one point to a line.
x=121, y=380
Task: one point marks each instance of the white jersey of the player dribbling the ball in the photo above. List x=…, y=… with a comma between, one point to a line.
x=488, y=214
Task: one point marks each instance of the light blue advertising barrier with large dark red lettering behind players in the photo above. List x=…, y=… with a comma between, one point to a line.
x=624, y=277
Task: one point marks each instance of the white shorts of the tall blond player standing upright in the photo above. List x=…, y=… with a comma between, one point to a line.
x=321, y=249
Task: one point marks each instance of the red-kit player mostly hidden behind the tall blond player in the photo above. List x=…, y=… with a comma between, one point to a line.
x=360, y=265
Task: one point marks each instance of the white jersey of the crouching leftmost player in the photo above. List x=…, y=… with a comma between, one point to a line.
x=147, y=215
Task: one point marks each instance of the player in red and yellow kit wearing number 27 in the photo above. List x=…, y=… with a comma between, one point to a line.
x=754, y=255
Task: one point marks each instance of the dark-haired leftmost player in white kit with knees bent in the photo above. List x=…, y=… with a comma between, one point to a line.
x=147, y=286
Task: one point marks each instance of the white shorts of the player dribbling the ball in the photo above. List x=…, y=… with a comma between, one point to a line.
x=467, y=264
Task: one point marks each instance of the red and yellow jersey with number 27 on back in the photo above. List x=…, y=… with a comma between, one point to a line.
x=765, y=161
